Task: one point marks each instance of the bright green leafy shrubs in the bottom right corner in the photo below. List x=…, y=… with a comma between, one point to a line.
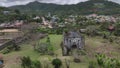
x=106, y=62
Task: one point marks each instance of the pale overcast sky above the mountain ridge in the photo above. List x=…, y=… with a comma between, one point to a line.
x=22, y=2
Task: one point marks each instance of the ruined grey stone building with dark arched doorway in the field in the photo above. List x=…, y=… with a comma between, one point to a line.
x=72, y=40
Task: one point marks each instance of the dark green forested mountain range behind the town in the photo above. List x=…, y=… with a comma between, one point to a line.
x=88, y=7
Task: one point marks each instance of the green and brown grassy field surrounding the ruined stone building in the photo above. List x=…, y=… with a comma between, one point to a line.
x=93, y=45
